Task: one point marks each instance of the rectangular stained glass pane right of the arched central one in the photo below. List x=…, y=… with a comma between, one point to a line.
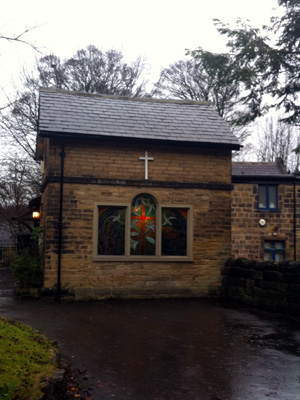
x=174, y=232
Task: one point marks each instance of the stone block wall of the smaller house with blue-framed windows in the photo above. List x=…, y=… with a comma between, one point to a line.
x=247, y=235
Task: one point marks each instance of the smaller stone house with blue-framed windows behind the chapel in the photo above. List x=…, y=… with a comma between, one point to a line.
x=265, y=203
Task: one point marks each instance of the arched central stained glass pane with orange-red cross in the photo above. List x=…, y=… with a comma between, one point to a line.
x=143, y=225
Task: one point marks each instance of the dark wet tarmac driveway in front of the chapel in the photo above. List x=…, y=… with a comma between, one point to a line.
x=170, y=349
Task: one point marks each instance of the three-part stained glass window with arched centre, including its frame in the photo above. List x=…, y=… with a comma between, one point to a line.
x=142, y=230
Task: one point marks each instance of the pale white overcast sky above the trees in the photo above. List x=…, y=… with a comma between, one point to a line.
x=159, y=30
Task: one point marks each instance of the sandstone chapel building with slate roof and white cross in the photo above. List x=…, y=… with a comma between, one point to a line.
x=136, y=197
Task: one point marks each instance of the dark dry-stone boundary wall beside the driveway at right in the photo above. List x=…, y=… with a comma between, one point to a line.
x=266, y=285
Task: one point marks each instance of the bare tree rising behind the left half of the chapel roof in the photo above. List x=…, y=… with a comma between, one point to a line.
x=93, y=71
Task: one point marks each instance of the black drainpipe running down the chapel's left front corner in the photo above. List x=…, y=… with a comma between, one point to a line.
x=60, y=224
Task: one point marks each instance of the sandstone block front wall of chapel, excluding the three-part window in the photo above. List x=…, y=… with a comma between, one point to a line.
x=86, y=278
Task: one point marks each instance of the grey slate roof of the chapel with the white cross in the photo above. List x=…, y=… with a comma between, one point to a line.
x=73, y=113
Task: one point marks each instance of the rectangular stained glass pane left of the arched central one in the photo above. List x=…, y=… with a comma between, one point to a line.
x=111, y=230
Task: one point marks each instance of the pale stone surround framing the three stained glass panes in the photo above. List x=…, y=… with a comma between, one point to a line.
x=158, y=257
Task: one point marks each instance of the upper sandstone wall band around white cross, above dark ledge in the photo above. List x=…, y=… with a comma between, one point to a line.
x=120, y=161
